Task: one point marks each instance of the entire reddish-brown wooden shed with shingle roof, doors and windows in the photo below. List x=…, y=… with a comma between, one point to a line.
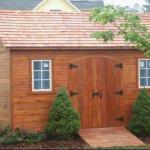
x=40, y=52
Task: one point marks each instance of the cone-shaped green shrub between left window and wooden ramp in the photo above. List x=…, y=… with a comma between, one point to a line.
x=63, y=120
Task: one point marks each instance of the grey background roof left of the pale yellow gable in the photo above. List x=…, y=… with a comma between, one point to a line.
x=18, y=4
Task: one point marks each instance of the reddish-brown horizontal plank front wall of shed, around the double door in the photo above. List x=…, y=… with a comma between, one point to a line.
x=30, y=109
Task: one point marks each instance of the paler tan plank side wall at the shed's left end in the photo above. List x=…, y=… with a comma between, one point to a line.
x=5, y=112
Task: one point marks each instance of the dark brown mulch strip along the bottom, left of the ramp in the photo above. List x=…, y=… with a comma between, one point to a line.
x=74, y=144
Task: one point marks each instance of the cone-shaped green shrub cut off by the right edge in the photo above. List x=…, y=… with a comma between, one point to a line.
x=140, y=120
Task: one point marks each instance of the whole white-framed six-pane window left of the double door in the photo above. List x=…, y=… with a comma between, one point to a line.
x=41, y=75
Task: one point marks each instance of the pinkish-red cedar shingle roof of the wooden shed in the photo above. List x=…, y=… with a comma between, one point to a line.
x=53, y=30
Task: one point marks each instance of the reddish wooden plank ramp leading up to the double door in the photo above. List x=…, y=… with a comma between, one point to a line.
x=109, y=137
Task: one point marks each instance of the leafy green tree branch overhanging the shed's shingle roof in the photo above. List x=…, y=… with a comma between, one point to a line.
x=128, y=26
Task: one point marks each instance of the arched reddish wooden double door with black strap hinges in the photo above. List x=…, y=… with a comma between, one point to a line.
x=95, y=89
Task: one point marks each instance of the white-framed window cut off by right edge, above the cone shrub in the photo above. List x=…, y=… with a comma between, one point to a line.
x=144, y=73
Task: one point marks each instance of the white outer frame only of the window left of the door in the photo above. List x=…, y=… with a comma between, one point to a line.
x=50, y=76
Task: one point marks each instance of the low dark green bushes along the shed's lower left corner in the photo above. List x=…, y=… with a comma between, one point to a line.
x=8, y=136
